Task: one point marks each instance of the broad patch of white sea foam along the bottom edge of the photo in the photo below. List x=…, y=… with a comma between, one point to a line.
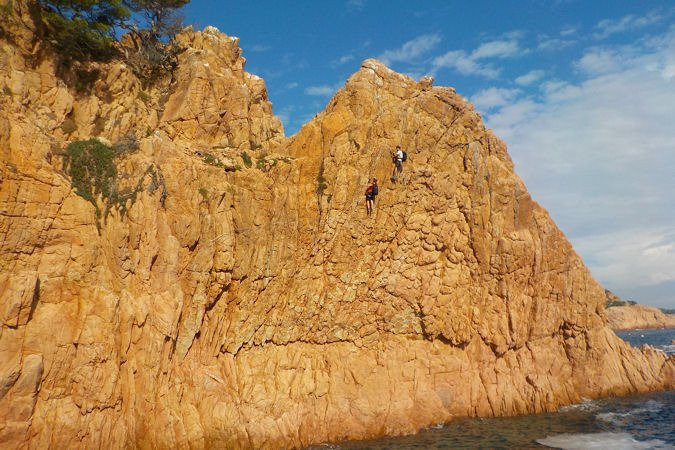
x=615, y=441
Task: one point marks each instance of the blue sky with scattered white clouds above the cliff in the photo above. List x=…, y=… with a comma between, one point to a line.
x=583, y=93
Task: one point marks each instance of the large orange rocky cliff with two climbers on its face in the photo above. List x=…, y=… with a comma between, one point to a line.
x=233, y=293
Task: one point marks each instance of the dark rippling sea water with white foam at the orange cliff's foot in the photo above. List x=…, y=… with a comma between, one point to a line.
x=642, y=421
